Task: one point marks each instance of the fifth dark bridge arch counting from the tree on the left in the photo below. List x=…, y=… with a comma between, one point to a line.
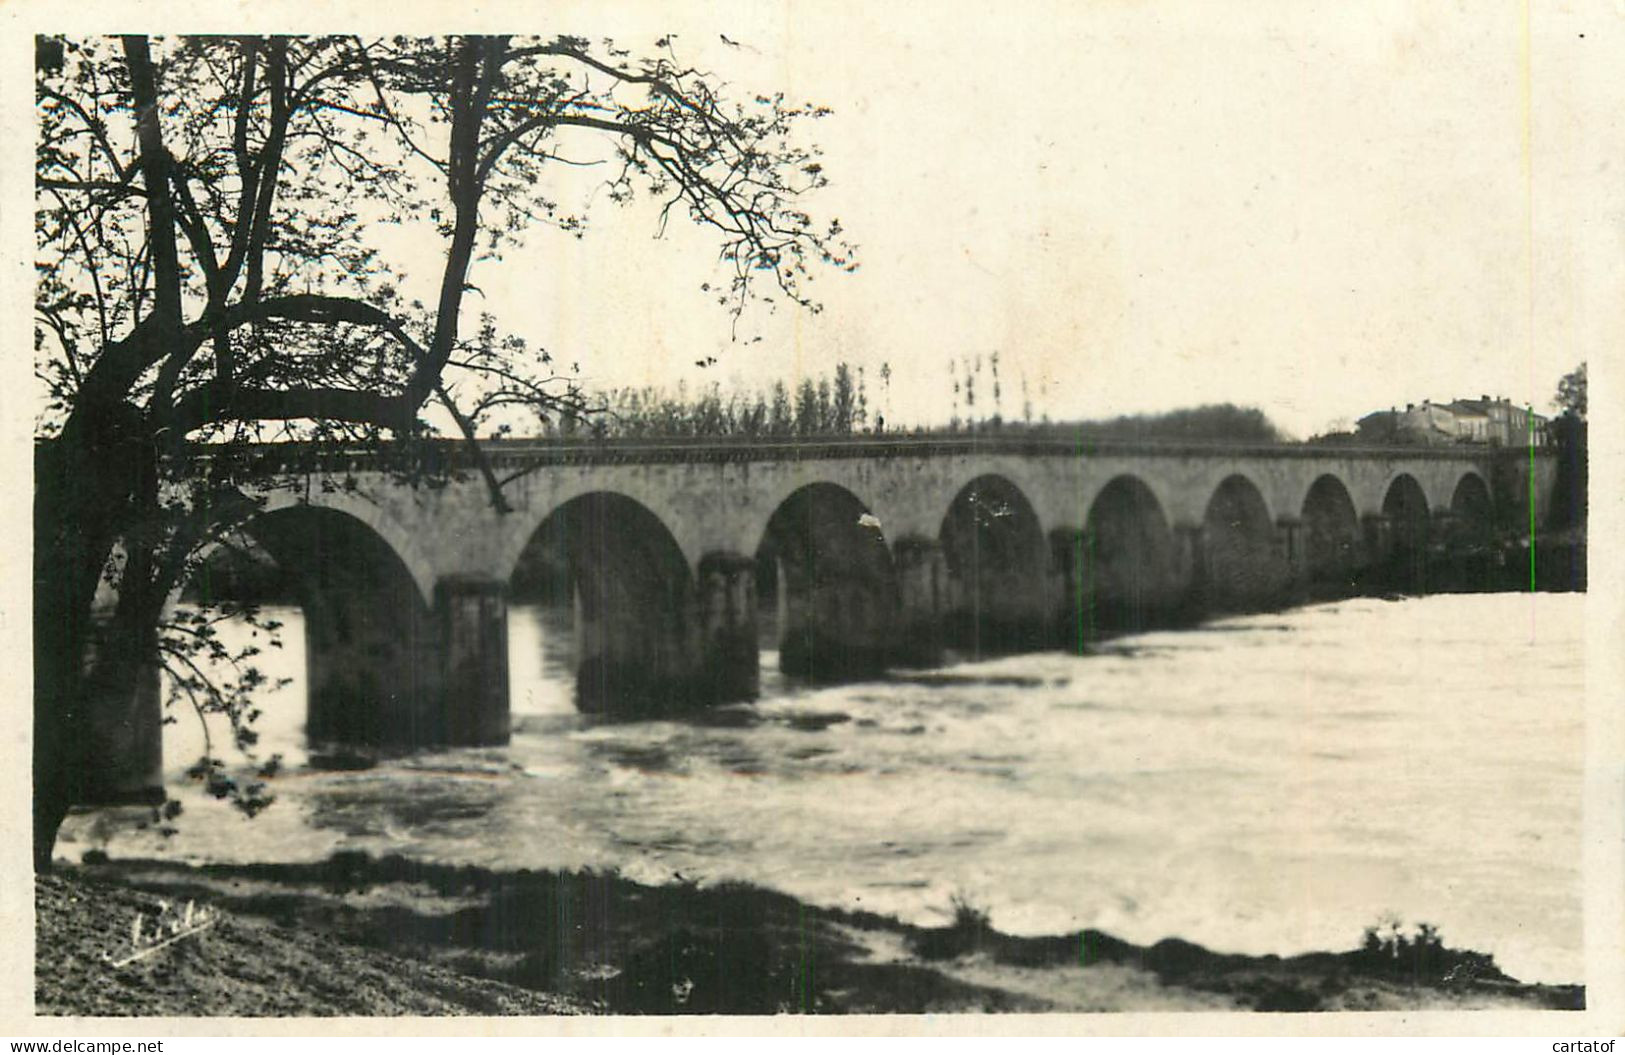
x=1129, y=576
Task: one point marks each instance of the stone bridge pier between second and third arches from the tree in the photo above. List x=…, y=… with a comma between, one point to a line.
x=729, y=658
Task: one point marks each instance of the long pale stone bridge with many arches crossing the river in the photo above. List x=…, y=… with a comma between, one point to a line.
x=683, y=560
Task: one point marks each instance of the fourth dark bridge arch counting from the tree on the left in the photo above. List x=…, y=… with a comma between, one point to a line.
x=999, y=568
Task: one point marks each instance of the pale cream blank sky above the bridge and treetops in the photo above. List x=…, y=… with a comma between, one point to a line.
x=1314, y=209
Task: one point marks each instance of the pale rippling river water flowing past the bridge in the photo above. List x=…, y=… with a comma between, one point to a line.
x=1263, y=784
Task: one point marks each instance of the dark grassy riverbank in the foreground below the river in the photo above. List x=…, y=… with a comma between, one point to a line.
x=379, y=937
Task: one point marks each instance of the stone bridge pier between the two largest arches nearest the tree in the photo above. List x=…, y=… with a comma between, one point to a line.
x=474, y=661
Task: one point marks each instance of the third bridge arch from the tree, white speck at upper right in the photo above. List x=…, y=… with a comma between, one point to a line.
x=826, y=575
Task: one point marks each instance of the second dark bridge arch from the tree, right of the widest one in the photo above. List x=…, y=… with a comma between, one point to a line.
x=620, y=571
